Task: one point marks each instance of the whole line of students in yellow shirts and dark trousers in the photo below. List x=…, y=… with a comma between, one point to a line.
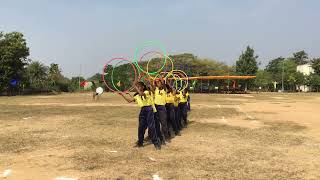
x=161, y=106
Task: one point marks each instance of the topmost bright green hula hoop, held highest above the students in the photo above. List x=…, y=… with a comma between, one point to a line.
x=146, y=43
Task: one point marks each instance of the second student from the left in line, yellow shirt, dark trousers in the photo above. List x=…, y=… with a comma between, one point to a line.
x=159, y=91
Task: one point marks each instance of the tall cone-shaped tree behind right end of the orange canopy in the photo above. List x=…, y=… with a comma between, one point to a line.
x=247, y=64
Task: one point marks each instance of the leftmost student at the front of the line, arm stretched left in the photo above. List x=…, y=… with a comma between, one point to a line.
x=146, y=117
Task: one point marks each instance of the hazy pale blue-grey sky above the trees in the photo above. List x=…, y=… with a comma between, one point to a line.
x=87, y=33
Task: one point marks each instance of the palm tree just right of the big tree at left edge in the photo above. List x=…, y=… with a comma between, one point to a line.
x=37, y=73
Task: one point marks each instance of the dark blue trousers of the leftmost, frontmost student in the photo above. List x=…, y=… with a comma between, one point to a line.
x=146, y=120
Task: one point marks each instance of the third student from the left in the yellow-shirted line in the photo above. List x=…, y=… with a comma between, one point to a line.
x=170, y=110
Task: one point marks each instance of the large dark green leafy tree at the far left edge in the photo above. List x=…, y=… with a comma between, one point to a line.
x=13, y=57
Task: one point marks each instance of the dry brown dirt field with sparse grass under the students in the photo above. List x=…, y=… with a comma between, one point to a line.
x=252, y=136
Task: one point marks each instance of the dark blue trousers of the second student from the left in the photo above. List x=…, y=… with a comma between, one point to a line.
x=161, y=119
